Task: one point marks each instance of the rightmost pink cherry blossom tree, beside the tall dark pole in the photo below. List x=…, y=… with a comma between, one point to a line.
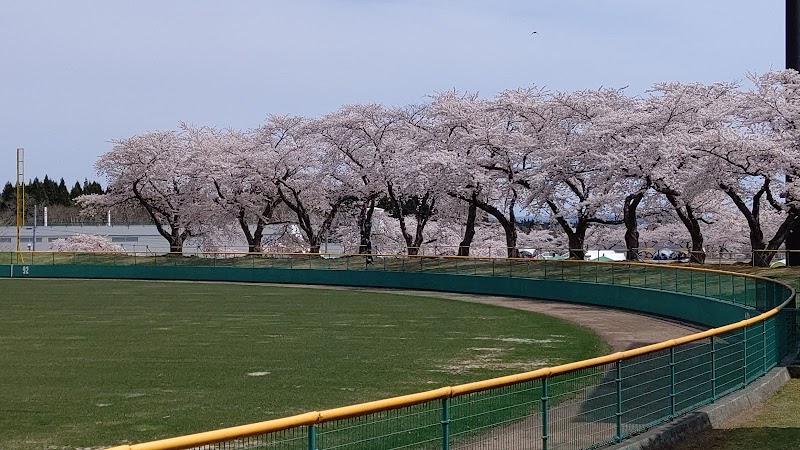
x=757, y=153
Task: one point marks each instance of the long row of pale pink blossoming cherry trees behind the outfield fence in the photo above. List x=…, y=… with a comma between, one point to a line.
x=699, y=164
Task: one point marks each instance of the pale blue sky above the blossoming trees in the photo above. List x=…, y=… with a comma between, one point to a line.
x=75, y=74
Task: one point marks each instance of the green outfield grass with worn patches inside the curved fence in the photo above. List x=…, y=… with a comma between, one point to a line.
x=94, y=363
